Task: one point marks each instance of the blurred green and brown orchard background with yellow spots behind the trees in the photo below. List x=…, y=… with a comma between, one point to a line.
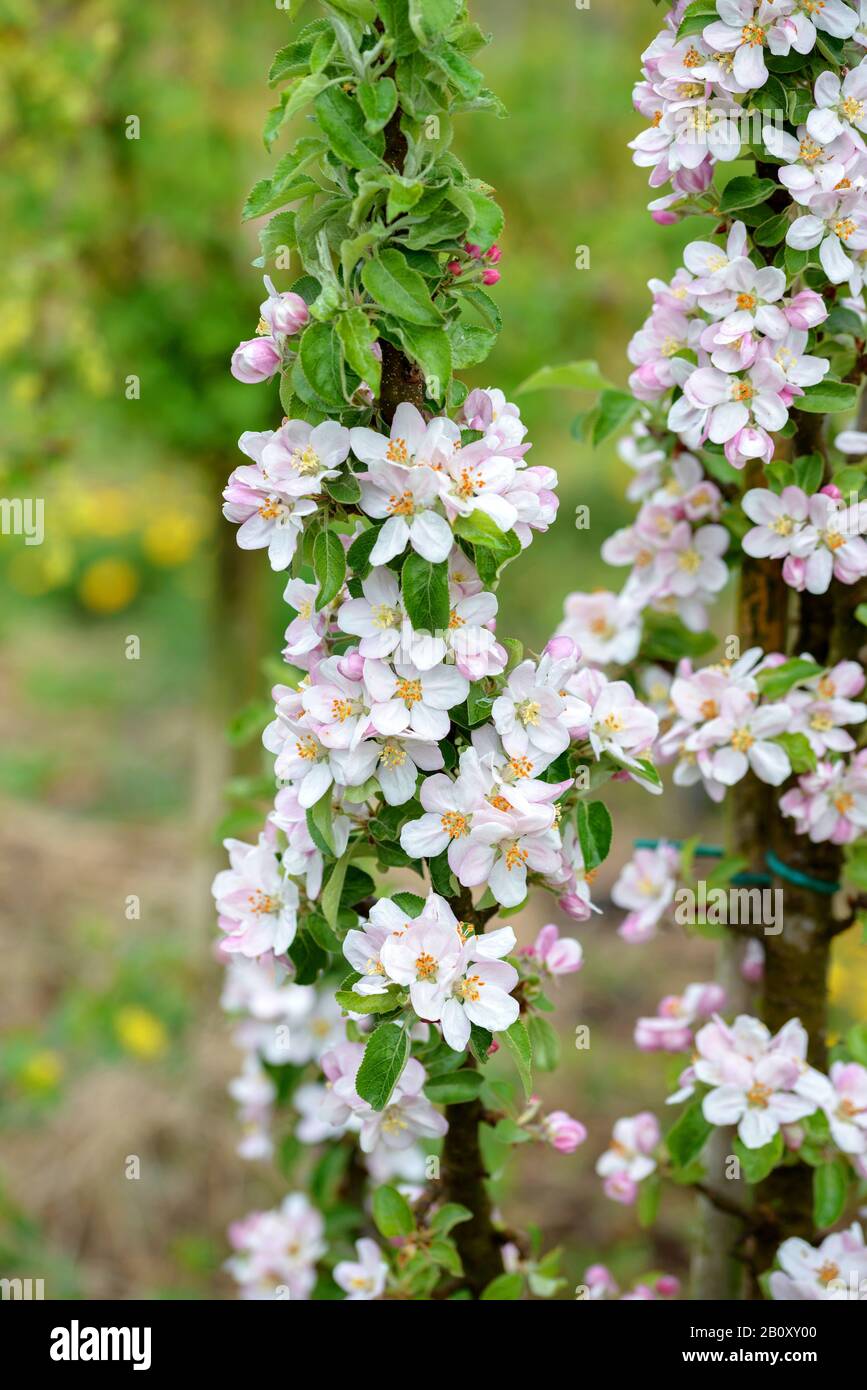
x=126, y=259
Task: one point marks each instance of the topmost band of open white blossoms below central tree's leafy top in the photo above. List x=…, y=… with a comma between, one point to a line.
x=415, y=484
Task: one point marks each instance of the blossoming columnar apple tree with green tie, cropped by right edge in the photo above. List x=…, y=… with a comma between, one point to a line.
x=745, y=375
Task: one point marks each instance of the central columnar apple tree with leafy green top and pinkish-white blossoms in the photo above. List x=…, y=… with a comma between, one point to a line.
x=429, y=772
